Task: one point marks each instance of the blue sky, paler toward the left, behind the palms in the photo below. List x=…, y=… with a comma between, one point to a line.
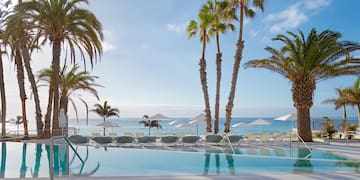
x=149, y=65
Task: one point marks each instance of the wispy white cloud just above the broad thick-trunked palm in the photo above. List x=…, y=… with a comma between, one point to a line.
x=287, y=19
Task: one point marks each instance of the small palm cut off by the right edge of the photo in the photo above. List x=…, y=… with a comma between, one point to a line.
x=354, y=96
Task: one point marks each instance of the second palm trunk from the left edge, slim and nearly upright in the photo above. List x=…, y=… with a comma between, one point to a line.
x=20, y=78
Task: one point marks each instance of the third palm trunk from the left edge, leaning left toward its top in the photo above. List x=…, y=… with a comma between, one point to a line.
x=39, y=123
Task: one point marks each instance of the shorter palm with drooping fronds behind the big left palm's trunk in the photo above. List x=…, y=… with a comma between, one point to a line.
x=70, y=83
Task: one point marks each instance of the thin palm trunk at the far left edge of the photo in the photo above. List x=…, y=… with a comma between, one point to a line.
x=3, y=98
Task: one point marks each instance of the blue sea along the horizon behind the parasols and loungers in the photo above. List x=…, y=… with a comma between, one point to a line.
x=122, y=125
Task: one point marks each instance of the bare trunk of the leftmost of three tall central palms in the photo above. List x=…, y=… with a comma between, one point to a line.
x=203, y=79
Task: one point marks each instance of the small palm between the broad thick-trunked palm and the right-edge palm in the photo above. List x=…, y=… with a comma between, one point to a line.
x=341, y=100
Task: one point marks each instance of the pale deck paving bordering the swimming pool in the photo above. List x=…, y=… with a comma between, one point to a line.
x=344, y=148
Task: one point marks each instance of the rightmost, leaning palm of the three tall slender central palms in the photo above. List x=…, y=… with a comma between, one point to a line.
x=245, y=10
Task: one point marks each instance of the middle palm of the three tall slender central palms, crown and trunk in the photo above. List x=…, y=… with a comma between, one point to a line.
x=224, y=14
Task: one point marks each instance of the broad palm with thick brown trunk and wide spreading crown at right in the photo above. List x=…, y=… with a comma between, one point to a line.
x=305, y=62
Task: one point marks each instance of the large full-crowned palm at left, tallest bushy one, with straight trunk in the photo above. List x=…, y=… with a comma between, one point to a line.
x=65, y=22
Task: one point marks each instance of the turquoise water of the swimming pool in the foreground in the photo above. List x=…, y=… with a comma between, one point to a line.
x=32, y=160
